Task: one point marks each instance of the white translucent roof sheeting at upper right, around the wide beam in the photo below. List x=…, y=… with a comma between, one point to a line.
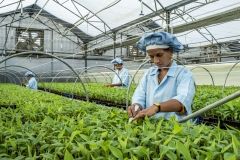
x=217, y=33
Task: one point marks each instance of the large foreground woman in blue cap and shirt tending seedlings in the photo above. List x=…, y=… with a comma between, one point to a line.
x=166, y=89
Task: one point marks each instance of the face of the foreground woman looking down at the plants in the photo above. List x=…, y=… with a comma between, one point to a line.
x=161, y=57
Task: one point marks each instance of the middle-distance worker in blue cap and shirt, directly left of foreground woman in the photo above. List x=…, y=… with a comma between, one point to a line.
x=121, y=73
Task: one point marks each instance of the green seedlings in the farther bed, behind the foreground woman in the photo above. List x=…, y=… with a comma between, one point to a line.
x=205, y=95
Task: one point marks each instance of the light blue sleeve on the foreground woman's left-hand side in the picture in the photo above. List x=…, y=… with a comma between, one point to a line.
x=139, y=95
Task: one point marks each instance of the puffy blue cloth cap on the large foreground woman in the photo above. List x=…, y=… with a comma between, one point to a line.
x=159, y=38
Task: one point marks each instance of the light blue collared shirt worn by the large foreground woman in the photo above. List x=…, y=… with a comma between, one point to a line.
x=177, y=84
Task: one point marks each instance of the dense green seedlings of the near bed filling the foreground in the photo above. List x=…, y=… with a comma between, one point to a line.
x=47, y=126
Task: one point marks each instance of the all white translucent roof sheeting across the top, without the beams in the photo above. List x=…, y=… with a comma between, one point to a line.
x=111, y=14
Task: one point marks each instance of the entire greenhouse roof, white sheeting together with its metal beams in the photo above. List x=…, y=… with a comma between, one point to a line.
x=195, y=22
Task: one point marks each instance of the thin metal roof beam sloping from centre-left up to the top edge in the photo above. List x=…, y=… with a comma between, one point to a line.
x=151, y=15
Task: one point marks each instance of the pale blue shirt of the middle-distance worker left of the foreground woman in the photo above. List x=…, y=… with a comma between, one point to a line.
x=124, y=76
